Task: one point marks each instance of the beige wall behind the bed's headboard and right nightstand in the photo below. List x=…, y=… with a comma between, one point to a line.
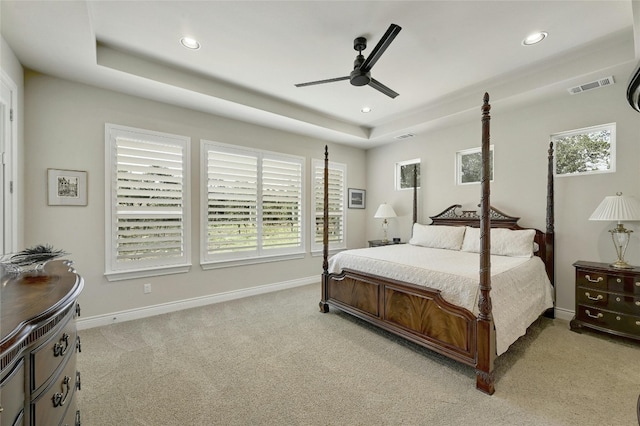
x=521, y=139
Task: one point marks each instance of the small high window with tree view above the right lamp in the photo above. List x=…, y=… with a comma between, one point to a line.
x=588, y=150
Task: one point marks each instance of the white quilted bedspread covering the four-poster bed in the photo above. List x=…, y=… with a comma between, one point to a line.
x=520, y=289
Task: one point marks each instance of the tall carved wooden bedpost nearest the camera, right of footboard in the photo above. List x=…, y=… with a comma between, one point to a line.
x=486, y=328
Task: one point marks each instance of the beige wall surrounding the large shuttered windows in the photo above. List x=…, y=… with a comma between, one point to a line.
x=65, y=130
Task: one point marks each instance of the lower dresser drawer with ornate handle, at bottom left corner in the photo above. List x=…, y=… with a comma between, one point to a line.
x=50, y=406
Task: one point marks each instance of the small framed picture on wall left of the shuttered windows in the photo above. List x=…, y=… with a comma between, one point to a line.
x=66, y=187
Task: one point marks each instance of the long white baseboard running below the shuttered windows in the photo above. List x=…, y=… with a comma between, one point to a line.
x=178, y=305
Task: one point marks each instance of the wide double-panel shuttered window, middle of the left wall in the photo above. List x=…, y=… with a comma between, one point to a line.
x=252, y=207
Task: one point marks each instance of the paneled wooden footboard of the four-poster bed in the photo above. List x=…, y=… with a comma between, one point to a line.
x=418, y=314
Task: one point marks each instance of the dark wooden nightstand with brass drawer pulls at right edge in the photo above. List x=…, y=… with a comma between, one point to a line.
x=607, y=299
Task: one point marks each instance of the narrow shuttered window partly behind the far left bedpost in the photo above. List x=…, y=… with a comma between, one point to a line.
x=337, y=216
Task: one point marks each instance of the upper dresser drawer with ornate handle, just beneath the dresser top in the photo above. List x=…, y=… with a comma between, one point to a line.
x=46, y=358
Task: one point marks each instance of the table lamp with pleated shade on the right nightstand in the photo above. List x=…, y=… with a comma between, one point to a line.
x=618, y=208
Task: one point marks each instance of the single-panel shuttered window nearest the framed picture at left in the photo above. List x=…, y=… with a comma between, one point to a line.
x=147, y=197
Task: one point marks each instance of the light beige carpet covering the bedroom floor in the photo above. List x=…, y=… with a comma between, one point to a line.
x=275, y=359
